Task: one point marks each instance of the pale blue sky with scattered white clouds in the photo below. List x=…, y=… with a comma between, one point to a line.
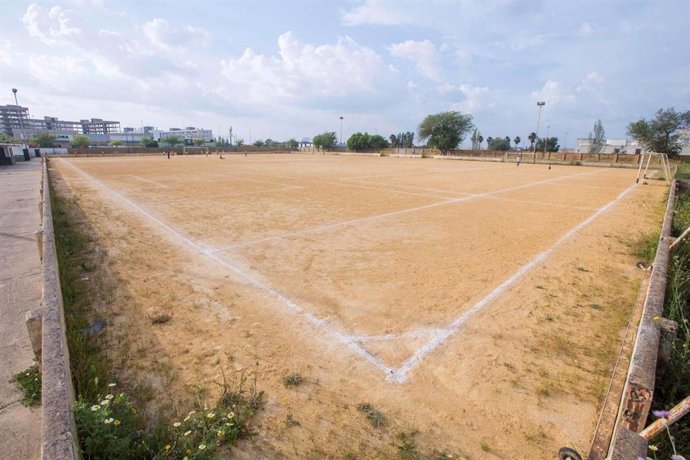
x=292, y=68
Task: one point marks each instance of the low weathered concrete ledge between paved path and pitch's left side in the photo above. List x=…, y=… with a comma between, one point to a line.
x=59, y=433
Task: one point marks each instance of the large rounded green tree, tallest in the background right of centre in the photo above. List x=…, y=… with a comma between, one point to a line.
x=445, y=130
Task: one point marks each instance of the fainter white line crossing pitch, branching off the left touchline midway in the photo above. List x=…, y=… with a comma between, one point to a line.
x=336, y=225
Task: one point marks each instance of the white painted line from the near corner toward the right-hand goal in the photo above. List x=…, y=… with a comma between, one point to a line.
x=400, y=375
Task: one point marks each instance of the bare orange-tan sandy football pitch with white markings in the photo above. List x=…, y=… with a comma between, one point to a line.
x=479, y=306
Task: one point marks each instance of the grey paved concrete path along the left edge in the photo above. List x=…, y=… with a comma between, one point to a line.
x=20, y=291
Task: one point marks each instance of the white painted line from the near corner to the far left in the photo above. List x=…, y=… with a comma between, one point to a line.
x=322, y=324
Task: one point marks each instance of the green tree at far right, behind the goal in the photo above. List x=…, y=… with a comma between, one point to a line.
x=661, y=134
